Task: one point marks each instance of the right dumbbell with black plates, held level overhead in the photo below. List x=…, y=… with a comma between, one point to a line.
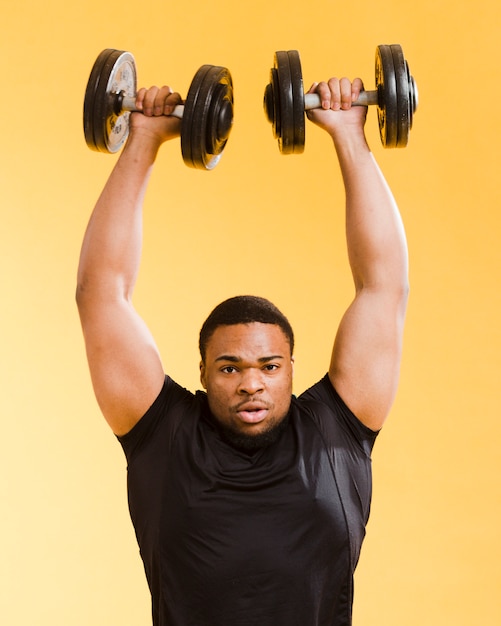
x=396, y=97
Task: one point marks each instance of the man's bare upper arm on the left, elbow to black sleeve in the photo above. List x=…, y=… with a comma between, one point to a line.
x=124, y=362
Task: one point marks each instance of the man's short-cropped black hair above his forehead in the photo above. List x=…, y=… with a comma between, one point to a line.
x=244, y=310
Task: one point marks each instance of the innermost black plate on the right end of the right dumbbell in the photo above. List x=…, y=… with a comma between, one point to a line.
x=387, y=109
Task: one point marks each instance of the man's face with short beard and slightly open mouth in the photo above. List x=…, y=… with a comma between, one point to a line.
x=247, y=374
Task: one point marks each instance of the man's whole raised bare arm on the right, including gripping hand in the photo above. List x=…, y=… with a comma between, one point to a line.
x=365, y=362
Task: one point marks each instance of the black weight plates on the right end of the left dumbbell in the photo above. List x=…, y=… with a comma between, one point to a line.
x=207, y=117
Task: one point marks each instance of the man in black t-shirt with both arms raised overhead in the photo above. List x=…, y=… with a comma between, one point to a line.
x=249, y=505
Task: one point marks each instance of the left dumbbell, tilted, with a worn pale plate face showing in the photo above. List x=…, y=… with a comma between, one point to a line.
x=206, y=115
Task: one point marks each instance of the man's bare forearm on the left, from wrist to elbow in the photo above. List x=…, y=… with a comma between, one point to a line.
x=111, y=249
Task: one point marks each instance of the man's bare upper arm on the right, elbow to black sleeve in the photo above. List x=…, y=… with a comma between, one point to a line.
x=365, y=364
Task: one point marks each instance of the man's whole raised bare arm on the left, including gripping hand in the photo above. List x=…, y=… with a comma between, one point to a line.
x=124, y=363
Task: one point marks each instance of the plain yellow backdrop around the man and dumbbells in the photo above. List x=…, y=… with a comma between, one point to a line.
x=260, y=223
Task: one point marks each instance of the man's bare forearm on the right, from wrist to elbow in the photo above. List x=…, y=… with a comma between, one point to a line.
x=375, y=234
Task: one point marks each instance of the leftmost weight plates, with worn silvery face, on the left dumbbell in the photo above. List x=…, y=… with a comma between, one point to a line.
x=105, y=127
